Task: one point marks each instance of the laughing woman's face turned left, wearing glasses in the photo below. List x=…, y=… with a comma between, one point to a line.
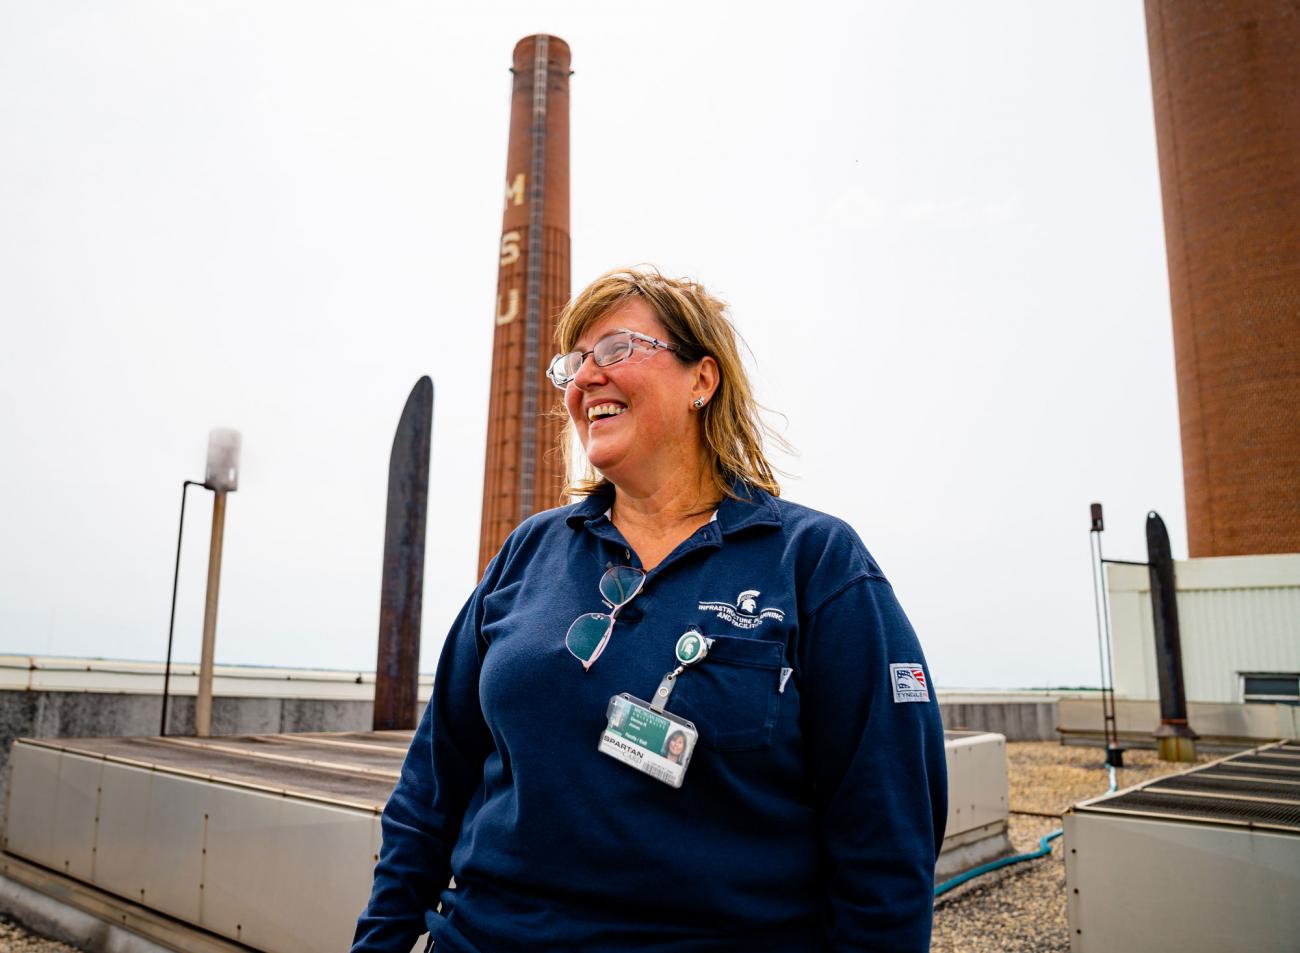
x=635, y=419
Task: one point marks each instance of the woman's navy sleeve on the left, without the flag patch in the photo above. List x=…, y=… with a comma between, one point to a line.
x=441, y=773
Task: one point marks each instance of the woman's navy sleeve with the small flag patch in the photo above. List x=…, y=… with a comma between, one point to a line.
x=879, y=777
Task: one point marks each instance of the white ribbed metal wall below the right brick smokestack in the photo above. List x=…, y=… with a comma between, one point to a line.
x=1237, y=614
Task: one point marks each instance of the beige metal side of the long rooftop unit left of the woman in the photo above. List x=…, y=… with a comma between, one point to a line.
x=283, y=874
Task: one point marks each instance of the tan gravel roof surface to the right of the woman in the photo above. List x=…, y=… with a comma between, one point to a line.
x=1022, y=908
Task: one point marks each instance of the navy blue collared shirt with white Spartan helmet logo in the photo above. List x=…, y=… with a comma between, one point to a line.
x=813, y=808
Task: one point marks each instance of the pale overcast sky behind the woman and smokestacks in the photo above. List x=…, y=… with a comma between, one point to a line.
x=938, y=226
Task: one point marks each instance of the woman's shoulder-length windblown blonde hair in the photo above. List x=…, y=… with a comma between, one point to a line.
x=734, y=430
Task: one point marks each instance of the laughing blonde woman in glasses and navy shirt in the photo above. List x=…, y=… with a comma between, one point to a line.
x=812, y=809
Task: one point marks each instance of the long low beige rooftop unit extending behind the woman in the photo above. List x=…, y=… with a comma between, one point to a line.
x=271, y=841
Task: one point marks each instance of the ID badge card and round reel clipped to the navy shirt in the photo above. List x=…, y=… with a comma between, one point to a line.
x=648, y=738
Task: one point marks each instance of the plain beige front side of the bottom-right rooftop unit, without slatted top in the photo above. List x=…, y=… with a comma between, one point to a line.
x=1171, y=887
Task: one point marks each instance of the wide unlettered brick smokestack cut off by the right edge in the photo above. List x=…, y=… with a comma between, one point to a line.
x=1227, y=85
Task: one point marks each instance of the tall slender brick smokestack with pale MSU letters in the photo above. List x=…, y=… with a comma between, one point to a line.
x=525, y=473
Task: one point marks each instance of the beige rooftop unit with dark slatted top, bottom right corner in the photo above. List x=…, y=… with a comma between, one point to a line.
x=1207, y=860
